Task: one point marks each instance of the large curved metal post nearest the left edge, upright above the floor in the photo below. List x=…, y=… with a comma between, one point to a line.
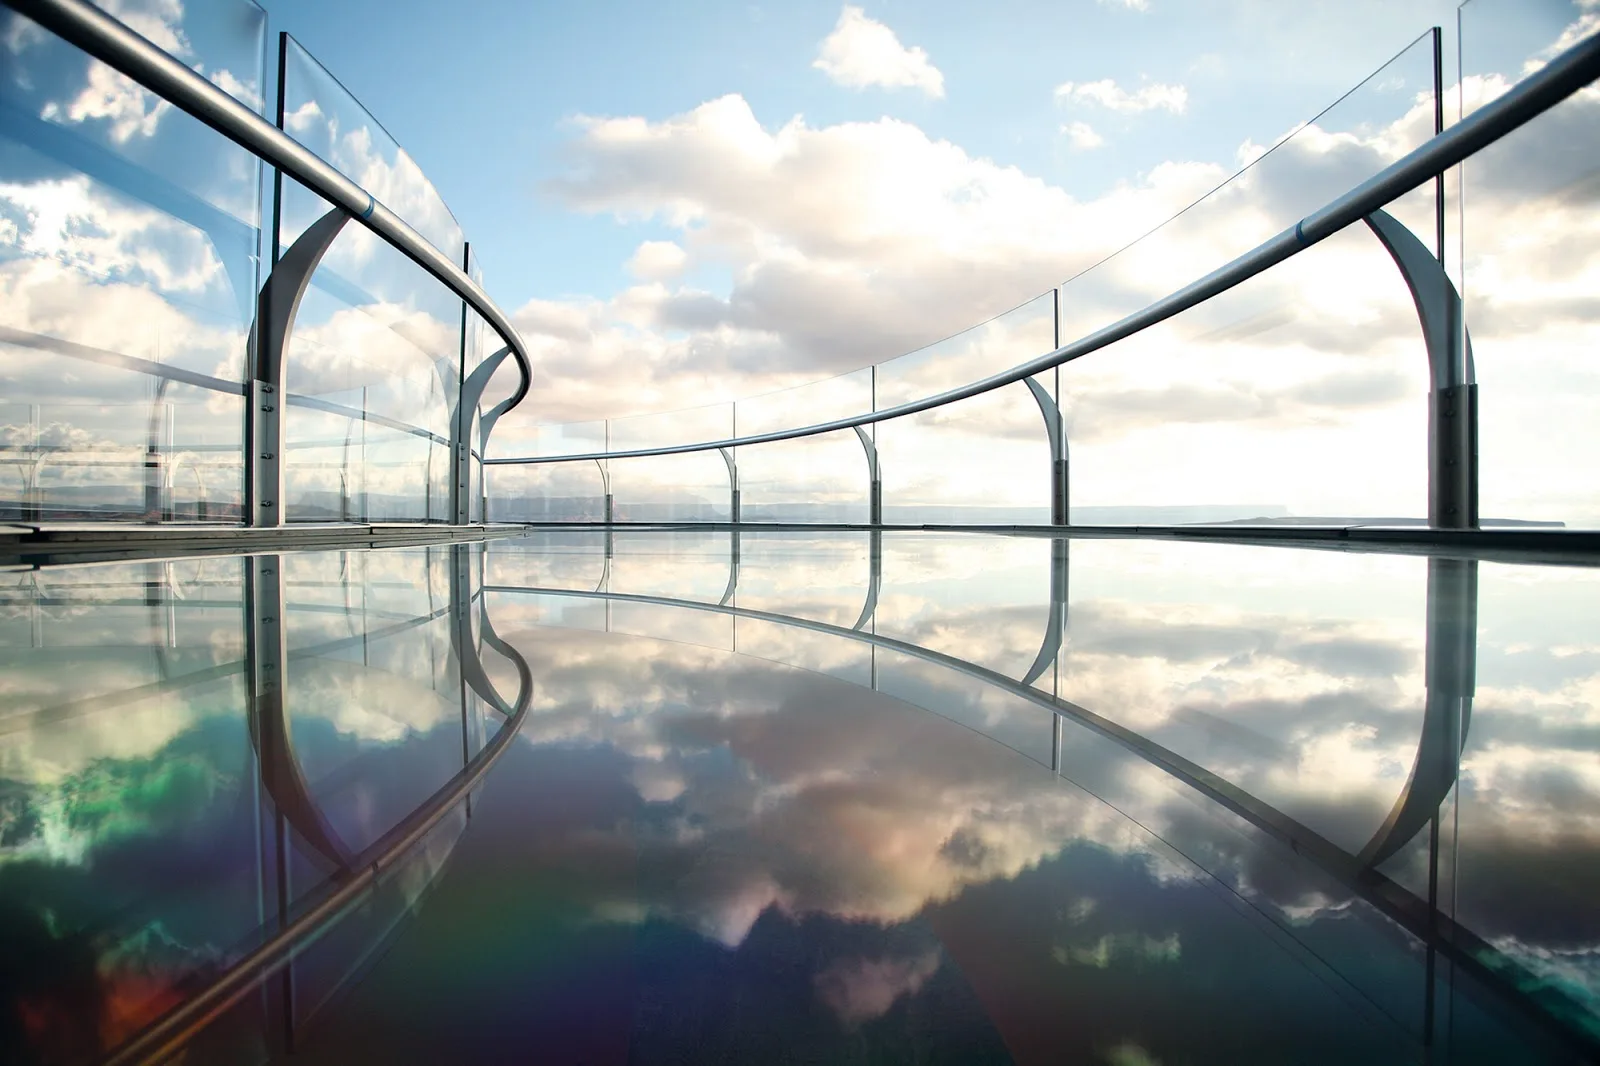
x=270, y=339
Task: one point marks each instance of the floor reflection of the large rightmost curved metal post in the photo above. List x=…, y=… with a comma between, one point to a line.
x=1452, y=683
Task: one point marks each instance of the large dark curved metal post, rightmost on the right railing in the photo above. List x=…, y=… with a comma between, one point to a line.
x=1454, y=401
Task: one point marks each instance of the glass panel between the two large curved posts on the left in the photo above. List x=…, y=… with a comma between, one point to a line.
x=378, y=343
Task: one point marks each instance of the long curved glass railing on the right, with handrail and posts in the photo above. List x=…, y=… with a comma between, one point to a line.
x=1287, y=383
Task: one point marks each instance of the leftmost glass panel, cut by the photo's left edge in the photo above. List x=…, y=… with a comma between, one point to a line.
x=129, y=241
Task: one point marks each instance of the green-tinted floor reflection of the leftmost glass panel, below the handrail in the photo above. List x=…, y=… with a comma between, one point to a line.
x=127, y=864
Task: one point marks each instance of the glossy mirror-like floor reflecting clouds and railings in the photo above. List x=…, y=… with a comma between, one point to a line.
x=780, y=798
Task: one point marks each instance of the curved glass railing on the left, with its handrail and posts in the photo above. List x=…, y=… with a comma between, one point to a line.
x=167, y=286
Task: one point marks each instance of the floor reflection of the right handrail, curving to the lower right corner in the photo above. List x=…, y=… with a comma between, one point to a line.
x=1545, y=1004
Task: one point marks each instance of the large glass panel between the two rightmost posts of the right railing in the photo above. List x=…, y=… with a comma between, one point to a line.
x=1302, y=393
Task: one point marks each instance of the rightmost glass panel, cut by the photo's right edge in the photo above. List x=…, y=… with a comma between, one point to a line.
x=1532, y=262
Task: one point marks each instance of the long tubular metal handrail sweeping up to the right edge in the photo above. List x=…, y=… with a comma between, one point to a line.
x=1569, y=73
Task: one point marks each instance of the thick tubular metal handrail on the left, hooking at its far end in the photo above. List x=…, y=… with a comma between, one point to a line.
x=122, y=49
